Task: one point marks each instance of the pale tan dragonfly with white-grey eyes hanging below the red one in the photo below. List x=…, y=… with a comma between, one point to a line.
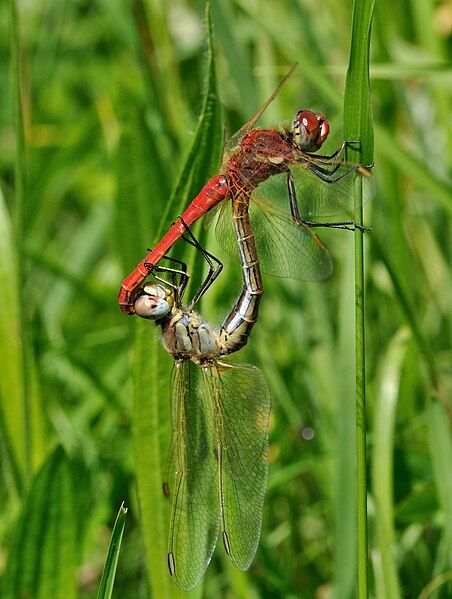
x=216, y=472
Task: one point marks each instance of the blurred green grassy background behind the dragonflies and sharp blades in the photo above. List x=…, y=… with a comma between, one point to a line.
x=111, y=92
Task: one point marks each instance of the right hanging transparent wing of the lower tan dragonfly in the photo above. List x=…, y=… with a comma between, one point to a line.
x=242, y=407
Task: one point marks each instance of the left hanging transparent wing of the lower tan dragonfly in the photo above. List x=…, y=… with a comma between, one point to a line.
x=195, y=517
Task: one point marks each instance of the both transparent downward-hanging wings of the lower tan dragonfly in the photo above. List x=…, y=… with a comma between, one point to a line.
x=220, y=419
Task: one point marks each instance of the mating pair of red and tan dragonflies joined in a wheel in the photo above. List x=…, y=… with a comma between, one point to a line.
x=270, y=186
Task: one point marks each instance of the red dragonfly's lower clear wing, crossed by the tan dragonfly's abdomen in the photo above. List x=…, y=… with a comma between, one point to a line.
x=285, y=249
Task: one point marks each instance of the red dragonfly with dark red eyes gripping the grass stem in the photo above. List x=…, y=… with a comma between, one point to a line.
x=269, y=171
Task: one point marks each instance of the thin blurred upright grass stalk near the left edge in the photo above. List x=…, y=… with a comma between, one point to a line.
x=19, y=197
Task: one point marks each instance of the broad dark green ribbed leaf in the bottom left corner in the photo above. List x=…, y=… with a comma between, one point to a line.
x=45, y=547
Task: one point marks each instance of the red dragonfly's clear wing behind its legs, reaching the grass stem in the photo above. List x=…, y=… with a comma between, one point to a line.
x=316, y=198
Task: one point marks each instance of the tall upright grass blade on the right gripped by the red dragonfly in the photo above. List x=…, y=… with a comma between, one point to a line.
x=358, y=126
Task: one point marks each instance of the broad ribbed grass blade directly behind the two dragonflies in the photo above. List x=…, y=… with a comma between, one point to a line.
x=151, y=422
